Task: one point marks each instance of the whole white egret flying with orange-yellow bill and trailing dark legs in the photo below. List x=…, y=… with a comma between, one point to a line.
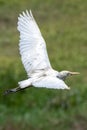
x=35, y=59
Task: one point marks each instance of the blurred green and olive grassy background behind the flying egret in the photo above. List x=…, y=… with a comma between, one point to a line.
x=63, y=24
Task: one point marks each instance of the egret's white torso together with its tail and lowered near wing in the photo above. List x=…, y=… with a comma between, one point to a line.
x=48, y=78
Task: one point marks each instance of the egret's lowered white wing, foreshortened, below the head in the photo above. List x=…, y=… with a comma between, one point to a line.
x=50, y=82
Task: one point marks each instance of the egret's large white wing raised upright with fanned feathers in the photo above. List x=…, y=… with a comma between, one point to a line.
x=32, y=45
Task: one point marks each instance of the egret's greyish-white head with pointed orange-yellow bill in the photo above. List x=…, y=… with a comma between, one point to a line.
x=65, y=73
